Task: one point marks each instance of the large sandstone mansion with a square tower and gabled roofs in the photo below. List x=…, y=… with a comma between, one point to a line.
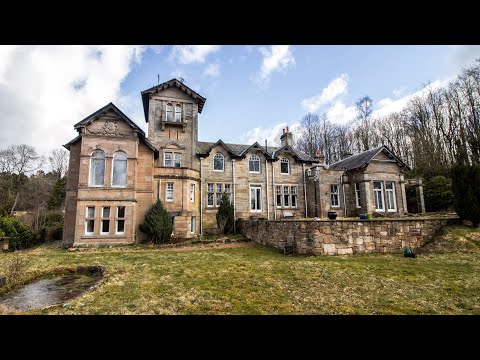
x=116, y=172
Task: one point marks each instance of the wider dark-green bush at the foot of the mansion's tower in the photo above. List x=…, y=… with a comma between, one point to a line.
x=157, y=224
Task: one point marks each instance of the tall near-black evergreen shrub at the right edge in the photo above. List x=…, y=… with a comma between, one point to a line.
x=466, y=189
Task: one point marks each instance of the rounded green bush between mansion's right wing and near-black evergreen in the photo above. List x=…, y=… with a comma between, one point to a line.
x=438, y=194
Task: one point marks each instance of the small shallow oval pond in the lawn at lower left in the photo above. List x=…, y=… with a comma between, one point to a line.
x=48, y=291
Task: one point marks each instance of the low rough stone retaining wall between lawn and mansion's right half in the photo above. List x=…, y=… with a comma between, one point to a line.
x=343, y=237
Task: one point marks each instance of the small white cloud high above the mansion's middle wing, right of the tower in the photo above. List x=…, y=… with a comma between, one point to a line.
x=278, y=58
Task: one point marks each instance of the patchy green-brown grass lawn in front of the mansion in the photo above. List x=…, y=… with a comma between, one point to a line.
x=257, y=280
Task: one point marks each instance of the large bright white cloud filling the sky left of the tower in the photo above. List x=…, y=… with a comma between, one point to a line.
x=47, y=89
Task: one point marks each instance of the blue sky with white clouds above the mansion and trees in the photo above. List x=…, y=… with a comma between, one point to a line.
x=252, y=91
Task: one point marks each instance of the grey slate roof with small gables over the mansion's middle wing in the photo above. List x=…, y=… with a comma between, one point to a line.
x=239, y=150
